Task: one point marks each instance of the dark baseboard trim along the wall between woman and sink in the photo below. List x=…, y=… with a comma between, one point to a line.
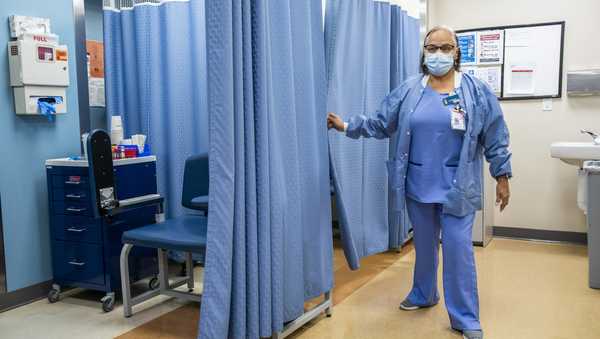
x=543, y=235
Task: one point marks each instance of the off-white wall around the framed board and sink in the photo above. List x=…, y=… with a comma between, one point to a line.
x=543, y=189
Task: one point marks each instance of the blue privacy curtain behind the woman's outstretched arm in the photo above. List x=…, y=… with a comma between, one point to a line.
x=371, y=48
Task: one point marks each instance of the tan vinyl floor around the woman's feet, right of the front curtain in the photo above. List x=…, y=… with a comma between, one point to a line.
x=527, y=290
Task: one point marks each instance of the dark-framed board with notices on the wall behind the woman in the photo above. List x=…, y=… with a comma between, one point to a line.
x=516, y=62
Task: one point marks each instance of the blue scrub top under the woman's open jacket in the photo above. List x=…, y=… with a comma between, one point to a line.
x=434, y=150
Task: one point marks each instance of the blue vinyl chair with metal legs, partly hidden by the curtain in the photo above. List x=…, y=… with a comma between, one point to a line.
x=186, y=233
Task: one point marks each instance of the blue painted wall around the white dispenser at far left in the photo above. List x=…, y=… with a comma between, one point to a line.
x=25, y=143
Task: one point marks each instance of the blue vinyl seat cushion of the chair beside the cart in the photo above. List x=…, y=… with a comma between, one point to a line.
x=185, y=233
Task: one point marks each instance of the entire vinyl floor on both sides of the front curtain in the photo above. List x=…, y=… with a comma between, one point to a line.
x=527, y=290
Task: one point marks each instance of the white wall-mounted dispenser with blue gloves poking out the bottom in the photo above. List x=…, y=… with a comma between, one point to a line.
x=39, y=70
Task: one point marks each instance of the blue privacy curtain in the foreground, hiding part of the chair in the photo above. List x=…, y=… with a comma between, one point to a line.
x=269, y=227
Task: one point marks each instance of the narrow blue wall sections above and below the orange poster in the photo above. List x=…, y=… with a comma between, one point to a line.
x=94, y=31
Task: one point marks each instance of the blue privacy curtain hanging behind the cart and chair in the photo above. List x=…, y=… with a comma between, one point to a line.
x=155, y=65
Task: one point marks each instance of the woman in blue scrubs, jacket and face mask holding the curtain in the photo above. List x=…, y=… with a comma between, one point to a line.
x=444, y=121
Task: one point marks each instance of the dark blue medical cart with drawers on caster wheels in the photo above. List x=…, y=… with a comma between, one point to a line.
x=86, y=248
